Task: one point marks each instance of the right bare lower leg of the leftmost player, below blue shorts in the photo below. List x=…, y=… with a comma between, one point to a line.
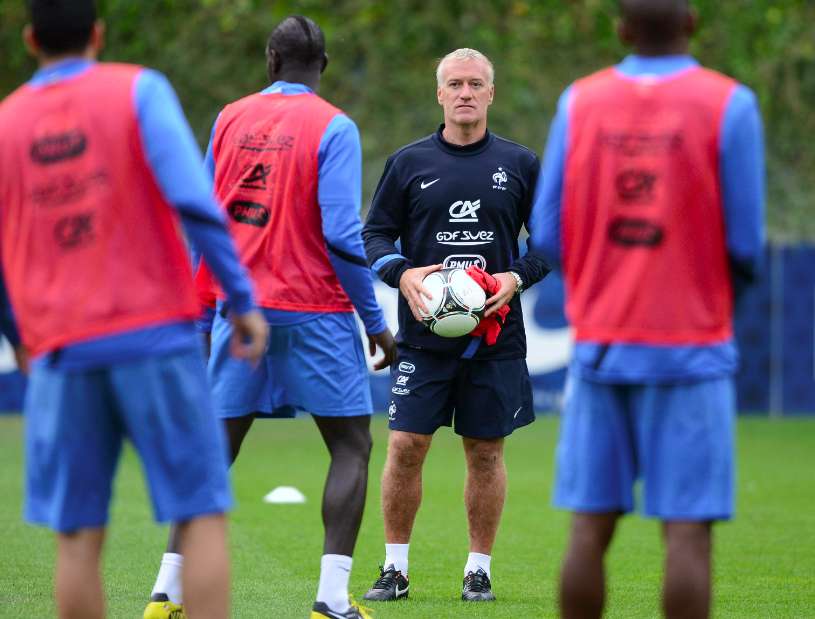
x=206, y=567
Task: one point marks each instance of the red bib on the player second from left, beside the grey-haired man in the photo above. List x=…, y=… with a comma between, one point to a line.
x=266, y=153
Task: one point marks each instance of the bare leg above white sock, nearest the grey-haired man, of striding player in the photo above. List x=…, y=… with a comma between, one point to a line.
x=349, y=441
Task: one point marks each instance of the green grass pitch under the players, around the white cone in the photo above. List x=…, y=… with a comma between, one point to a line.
x=764, y=560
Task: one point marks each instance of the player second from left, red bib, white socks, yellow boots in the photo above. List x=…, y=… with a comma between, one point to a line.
x=287, y=168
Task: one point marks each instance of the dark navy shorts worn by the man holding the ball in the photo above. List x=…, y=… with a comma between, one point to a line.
x=486, y=399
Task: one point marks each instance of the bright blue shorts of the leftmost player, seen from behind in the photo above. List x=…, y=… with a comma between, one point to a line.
x=76, y=420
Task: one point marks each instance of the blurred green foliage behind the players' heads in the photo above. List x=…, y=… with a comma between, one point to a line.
x=383, y=56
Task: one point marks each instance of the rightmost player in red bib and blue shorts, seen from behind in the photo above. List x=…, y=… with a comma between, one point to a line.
x=652, y=198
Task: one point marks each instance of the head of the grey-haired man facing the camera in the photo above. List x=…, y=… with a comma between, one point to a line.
x=465, y=92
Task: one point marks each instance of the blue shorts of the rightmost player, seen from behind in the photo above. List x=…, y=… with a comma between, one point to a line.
x=678, y=439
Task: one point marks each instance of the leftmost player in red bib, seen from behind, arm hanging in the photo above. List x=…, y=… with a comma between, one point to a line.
x=97, y=166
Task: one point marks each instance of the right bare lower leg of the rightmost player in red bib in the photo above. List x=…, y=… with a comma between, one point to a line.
x=687, y=589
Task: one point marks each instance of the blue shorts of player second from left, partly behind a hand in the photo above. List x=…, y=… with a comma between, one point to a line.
x=316, y=366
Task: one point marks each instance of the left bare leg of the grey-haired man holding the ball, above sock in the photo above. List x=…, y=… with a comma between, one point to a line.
x=402, y=483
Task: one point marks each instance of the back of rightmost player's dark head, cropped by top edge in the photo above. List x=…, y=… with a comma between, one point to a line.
x=657, y=27
